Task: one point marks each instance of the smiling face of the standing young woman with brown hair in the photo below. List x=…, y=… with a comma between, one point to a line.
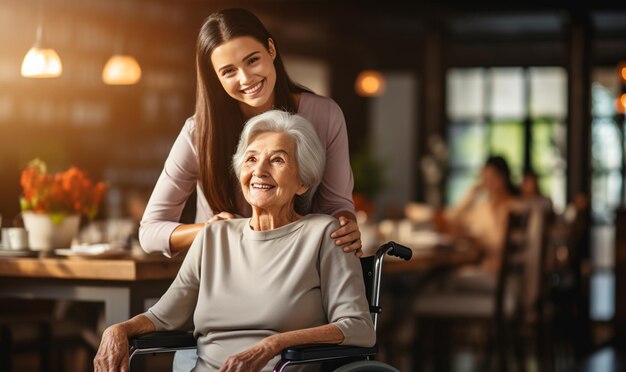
x=247, y=73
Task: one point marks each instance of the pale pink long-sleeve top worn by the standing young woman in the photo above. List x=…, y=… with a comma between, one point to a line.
x=180, y=176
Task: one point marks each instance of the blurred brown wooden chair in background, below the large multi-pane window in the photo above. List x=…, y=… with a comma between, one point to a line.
x=503, y=308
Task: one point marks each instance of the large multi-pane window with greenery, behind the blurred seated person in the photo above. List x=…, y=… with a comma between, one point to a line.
x=518, y=113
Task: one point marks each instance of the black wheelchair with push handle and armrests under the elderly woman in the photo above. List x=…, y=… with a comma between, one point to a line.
x=346, y=358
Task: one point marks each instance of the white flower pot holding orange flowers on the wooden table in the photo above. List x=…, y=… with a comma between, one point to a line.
x=45, y=235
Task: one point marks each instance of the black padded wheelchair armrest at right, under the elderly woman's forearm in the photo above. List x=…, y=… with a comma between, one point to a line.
x=326, y=351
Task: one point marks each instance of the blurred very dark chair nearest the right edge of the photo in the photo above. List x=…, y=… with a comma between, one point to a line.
x=564, y=335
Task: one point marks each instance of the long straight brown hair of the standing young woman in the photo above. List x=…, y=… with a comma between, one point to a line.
x=218, y=118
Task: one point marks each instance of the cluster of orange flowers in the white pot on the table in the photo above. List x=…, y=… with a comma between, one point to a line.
x=63, y=193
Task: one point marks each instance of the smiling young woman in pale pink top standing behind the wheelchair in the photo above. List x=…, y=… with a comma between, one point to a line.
x=239, y=75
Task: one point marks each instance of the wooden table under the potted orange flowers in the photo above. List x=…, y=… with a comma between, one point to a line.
x=123, y=284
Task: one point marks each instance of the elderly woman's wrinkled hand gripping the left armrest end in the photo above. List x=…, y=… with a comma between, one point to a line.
x=113, y=351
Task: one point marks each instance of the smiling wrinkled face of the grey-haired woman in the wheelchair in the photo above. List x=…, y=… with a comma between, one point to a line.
x=269, y=175
